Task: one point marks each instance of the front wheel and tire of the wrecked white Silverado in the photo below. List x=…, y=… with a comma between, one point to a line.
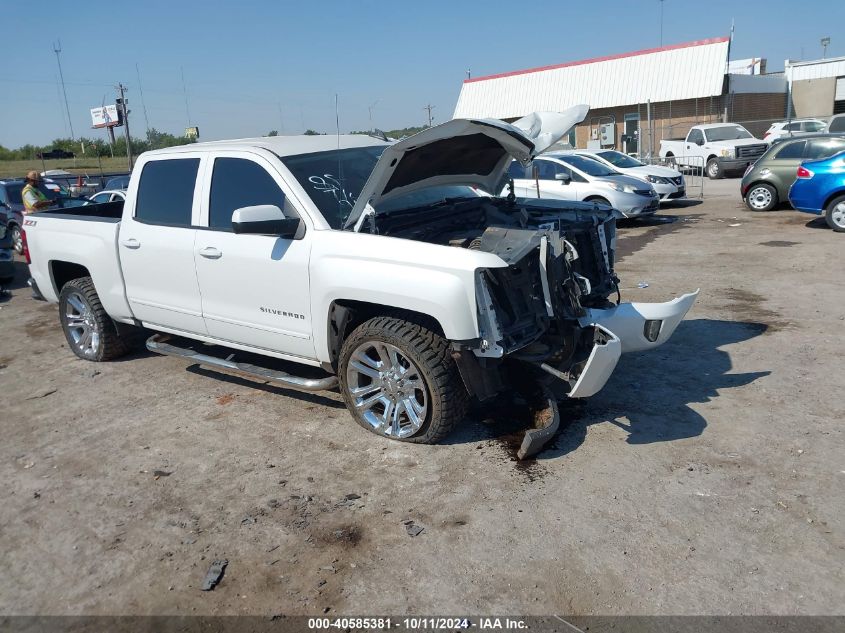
x=398, y=380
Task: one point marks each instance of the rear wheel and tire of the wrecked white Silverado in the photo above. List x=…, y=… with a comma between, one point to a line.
x=90, y=332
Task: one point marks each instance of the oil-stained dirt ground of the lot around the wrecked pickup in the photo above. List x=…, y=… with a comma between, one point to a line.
x=706, y=478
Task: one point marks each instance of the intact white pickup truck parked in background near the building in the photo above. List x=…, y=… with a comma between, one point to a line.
x=719, y=148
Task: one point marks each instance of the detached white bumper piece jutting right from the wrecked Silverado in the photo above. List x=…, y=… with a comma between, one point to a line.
x=627, y=320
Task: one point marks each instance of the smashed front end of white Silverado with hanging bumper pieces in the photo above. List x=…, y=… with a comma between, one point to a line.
x=546, y=319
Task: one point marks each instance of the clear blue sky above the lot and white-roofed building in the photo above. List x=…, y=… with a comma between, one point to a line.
x=251, y=66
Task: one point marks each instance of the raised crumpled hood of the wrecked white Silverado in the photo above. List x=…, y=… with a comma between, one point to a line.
x=474, y=152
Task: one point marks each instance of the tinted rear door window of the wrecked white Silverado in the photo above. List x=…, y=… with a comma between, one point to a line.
x=166, y=192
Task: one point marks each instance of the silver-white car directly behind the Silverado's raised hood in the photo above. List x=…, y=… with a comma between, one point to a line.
x=566, y=176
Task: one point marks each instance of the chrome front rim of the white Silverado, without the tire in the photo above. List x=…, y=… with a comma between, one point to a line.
x=387, y=389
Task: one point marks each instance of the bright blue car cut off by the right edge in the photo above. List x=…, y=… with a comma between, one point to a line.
x=820, y=188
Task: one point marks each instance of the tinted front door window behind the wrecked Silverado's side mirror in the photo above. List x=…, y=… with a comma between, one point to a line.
x=237, y=183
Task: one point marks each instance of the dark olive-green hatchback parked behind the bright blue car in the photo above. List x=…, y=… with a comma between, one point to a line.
x=766, y=183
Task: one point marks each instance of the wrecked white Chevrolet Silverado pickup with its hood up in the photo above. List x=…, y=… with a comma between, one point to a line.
x=382, y=269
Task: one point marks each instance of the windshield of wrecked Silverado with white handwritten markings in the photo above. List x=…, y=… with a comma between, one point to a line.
x=334, y=179
